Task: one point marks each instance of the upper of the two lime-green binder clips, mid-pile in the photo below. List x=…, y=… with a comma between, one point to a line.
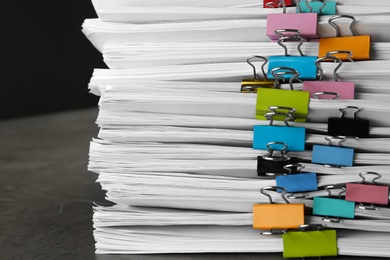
x=266, y=98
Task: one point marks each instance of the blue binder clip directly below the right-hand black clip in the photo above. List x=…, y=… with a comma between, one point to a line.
x=332, y=156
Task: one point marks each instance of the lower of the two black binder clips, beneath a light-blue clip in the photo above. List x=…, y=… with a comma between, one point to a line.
x=271, y=164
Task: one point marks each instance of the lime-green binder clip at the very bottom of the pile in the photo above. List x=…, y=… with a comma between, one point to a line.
x=310, y=241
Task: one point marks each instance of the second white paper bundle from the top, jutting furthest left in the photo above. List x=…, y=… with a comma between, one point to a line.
x=227, y=30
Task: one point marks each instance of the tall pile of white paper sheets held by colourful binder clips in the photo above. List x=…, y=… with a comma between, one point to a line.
x=174, y=150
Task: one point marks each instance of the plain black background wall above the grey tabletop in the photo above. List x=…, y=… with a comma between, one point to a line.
x=46, y=61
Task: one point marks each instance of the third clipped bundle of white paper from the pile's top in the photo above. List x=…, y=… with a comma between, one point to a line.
x=122, y=56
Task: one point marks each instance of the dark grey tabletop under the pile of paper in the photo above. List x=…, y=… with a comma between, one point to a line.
x=46, y=192
